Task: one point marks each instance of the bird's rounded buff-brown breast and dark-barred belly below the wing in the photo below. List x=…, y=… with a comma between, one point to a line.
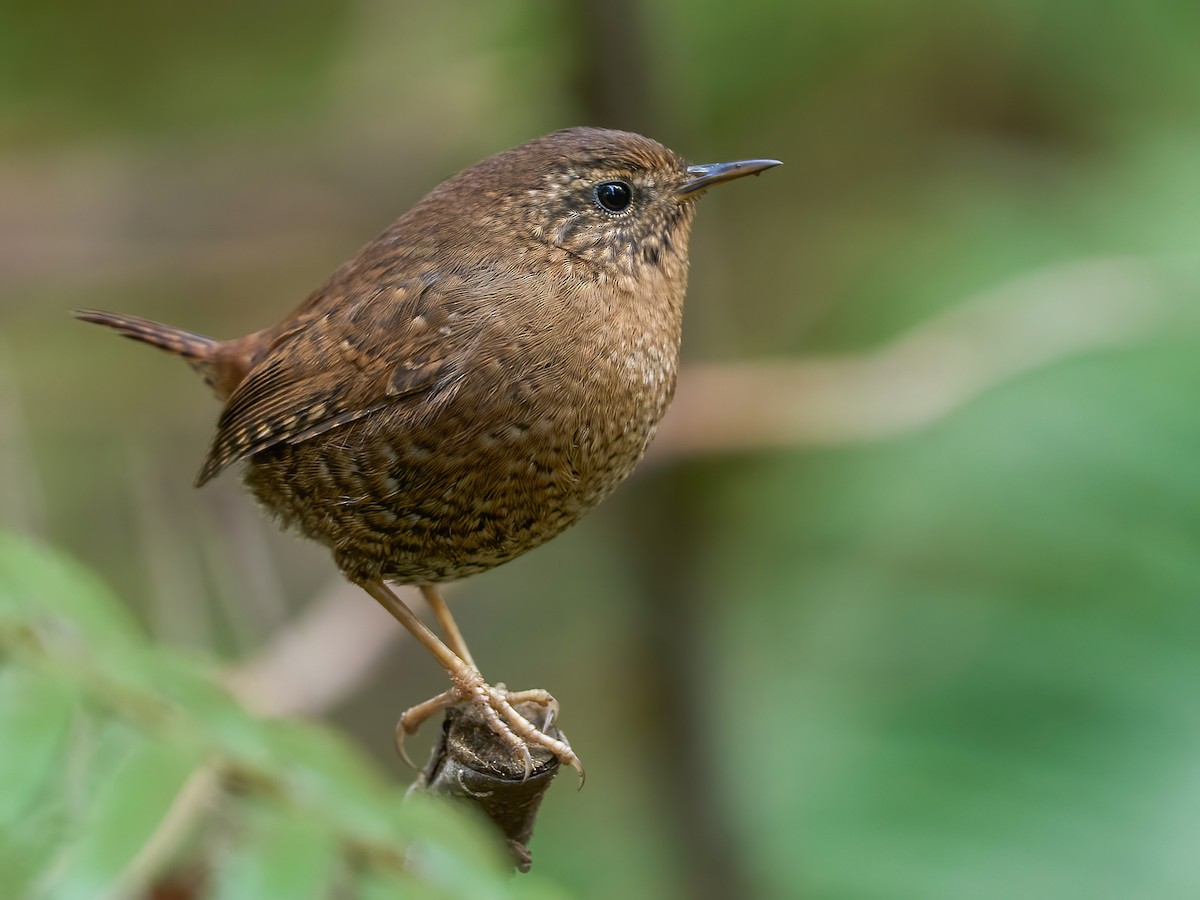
x=512, y=451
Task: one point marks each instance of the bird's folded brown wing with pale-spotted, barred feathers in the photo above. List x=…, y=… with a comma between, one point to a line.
x=338, y=364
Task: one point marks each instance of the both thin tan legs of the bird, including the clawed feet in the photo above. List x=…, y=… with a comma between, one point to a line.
x=469, y=686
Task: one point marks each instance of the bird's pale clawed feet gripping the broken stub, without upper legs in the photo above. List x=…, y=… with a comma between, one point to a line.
x=499, y=709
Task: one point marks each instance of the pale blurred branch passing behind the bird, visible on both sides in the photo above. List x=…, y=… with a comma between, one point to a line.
x=323, y=657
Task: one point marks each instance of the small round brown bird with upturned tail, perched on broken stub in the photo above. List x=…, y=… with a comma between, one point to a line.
x=475, y=381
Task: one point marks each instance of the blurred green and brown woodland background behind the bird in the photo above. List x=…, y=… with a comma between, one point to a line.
x=955, y=657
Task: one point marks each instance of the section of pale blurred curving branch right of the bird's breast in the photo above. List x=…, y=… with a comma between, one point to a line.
x=925, y=376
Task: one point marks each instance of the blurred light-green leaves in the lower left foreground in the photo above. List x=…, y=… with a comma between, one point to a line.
x=123, y=759
